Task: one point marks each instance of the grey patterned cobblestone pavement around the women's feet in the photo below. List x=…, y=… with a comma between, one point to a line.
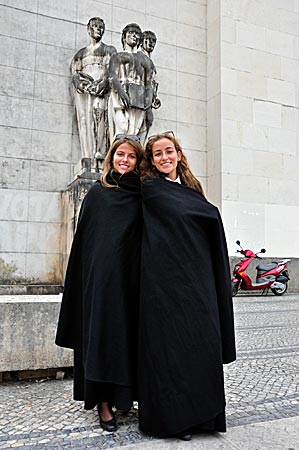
x=262, y=385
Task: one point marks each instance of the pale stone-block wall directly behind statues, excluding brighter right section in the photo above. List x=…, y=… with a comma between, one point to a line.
x=38, y=133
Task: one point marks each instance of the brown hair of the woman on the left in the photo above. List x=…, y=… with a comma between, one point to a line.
x=108, y=161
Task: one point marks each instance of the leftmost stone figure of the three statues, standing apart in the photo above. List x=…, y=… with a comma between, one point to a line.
x=90, y=78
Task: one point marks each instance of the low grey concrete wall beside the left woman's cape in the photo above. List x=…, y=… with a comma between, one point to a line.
x=27, y=334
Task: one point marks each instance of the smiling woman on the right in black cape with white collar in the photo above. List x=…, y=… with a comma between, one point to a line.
x=186, y=315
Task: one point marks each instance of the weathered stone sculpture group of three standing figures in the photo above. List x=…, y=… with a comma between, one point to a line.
x=115, y=92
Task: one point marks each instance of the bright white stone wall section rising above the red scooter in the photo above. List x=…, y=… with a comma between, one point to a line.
x=260, y=124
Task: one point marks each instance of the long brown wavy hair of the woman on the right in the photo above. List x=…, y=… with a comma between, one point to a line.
x=183, y=169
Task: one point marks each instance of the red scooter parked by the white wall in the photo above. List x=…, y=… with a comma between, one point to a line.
x=274, y=275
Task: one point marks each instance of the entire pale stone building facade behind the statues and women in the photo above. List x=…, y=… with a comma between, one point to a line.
x=228, y=73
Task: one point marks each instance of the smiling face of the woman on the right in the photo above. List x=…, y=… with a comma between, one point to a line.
x=165, y=157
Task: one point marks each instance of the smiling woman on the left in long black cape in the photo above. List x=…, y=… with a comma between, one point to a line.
x=99, y=310
